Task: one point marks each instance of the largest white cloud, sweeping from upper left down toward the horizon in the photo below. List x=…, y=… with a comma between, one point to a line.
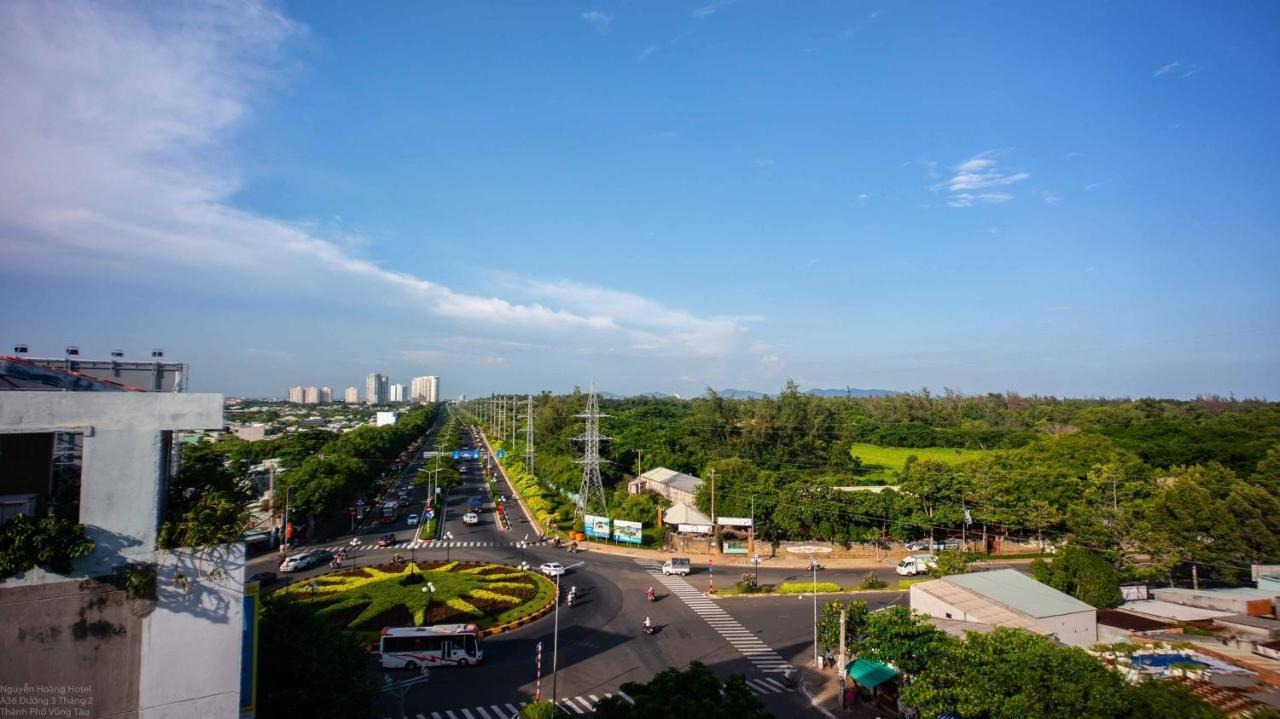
x=112, y=130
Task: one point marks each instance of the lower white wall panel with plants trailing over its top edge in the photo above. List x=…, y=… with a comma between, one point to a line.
x=191, y=644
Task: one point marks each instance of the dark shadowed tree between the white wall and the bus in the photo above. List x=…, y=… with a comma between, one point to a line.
x=305, y=661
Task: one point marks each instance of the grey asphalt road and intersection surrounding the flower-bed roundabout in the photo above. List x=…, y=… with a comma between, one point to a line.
x=601, y=644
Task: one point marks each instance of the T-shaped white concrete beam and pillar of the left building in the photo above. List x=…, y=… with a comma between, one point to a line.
x=124, y=457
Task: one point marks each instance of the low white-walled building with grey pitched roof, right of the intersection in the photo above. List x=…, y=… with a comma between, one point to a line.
x=1007, y=598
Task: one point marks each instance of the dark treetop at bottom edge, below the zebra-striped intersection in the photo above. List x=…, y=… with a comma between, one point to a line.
x=696, y=693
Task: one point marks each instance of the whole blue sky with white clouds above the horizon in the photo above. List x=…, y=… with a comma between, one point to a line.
x=1057, y=199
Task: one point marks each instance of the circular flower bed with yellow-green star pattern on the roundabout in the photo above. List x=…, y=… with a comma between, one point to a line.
x=392, y=596
